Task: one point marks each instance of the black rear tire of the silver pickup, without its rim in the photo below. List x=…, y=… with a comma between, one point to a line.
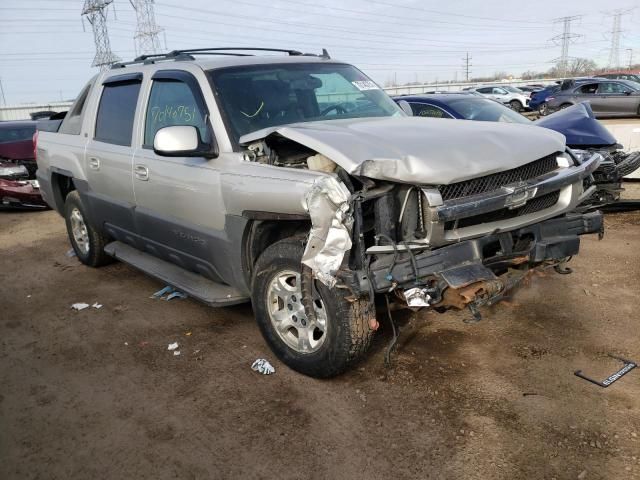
x=93, y=255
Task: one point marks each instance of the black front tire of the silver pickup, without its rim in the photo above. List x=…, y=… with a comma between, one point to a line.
x=348, y=334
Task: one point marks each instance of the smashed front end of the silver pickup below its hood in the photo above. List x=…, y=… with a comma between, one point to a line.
x=458, y=245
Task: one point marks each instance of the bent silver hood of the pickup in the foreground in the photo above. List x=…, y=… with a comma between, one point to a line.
x=420, y=150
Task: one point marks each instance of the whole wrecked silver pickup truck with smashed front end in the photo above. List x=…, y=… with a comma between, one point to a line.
x=295, y=183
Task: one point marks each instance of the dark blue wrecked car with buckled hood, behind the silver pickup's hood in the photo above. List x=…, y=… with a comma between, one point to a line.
x=583, y=132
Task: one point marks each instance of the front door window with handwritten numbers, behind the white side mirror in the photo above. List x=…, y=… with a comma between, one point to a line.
x=171, y=103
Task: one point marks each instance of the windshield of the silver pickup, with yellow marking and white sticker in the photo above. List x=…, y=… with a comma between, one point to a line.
x=260, y=96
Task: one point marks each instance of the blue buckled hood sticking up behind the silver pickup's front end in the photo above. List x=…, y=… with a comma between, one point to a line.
x=579, y=125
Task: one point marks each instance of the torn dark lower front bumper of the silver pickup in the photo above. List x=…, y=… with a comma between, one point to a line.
x=484, y=259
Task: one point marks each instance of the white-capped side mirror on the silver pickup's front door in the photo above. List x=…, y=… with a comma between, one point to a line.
x=182, y=141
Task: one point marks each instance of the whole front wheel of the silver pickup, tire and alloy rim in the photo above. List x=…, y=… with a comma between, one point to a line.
x=321, y=347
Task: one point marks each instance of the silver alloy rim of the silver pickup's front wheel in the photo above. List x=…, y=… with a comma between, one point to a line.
x=288, y=316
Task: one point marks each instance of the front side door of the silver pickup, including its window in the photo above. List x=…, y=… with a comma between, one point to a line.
x=178, y=214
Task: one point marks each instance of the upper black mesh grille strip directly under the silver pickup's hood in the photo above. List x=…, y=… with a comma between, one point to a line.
x=492, y=182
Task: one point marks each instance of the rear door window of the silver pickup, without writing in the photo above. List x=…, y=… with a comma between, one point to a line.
x=116, y=111
